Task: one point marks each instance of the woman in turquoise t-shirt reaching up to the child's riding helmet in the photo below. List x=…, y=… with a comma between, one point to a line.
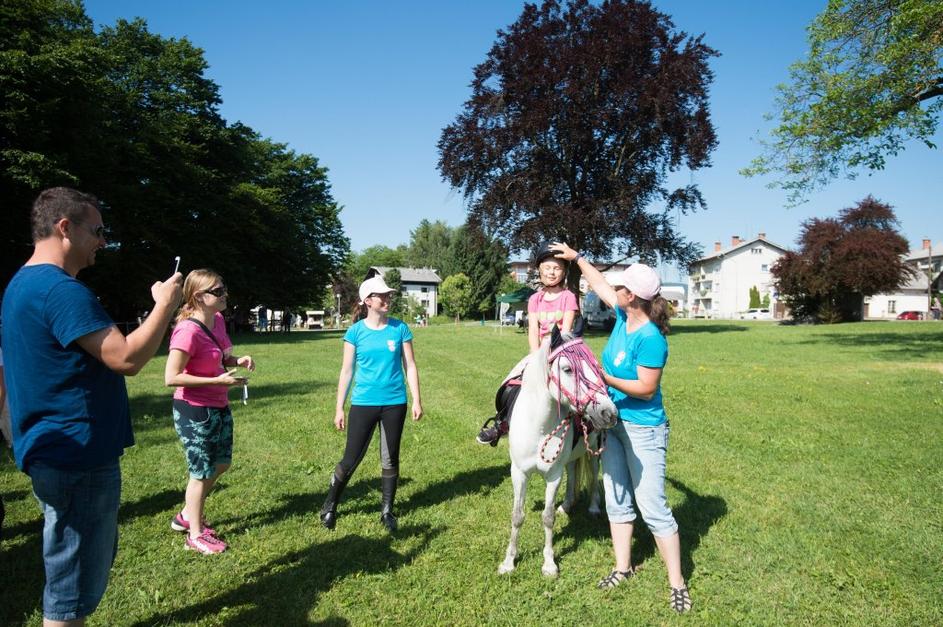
x=634, y=461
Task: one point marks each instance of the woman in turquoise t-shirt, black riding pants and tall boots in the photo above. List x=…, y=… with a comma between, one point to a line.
x=381, y=347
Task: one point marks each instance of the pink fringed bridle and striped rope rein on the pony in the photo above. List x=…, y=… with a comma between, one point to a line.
x=583, y=396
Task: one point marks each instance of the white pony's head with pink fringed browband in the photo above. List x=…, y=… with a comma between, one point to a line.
x=575, y=378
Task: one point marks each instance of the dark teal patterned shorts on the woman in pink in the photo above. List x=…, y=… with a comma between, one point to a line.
x=206, y=436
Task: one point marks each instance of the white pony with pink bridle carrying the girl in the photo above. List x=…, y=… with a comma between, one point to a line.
x=562, y=382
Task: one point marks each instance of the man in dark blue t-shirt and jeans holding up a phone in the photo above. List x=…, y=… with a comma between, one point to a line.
x=65, y=362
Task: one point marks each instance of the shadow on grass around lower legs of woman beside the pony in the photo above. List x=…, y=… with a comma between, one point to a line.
x=695, y=516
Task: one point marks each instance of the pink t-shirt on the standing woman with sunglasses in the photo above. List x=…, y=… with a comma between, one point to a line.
x=206, y=360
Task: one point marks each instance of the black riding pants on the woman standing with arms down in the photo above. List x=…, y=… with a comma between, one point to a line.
x=361, y=422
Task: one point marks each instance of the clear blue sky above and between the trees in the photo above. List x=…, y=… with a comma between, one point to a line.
x=367, y=87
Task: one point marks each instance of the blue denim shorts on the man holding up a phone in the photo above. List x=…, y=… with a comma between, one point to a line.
x=80, y=535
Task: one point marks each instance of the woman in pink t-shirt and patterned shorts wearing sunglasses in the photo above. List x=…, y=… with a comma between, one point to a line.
x=200, y=353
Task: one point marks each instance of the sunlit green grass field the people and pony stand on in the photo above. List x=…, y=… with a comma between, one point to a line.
x=804, y=471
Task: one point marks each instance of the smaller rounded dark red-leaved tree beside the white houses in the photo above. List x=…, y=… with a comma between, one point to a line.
x=841, y=260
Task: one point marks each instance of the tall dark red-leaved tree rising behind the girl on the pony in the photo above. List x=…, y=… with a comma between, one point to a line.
x=576, y=118
